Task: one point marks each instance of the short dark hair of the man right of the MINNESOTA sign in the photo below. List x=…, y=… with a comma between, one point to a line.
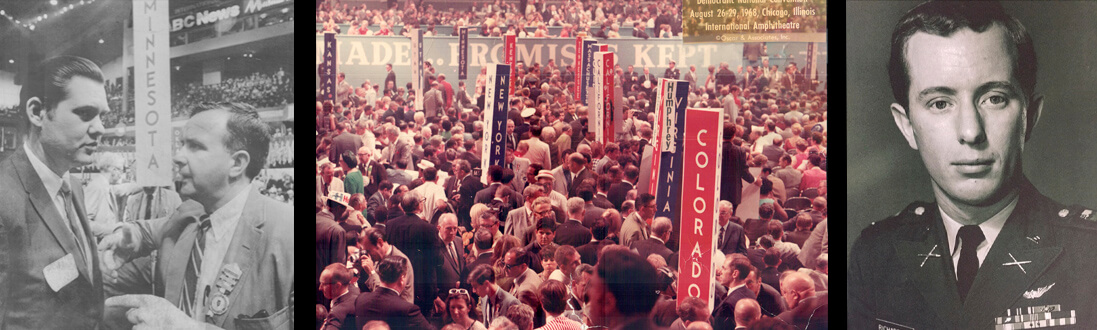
x=246, y=132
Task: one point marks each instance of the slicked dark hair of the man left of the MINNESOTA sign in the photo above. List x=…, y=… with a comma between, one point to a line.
x=47, y=81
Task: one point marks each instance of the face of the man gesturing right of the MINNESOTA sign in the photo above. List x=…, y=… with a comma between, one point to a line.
x=205, y=163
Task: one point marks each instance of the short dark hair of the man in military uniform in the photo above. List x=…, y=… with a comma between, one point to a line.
x=946, y=18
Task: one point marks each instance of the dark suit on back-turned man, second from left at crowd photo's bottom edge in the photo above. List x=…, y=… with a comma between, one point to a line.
x=386, y=305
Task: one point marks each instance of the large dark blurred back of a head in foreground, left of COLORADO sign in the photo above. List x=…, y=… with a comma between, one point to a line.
x=630, y=279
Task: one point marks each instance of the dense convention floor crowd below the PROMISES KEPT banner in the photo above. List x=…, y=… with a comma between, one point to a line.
x=551, y=237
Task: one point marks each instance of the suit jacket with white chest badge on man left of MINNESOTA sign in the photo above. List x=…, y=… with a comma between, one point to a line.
x=33, y=236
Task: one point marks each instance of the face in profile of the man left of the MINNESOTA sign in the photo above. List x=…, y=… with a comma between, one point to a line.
x=71, y=131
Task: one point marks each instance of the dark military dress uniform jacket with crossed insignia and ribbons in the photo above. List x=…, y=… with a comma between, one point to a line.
x=1038, y=274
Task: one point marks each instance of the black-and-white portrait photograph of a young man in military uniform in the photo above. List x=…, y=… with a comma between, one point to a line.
x=970, y=165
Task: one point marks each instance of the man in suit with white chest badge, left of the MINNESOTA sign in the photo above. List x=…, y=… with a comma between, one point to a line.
x=51, y=275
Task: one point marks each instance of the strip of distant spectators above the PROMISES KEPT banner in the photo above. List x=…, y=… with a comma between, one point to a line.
x=598, y=19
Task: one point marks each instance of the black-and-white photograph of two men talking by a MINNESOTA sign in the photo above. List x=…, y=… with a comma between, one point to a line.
x=146, y=170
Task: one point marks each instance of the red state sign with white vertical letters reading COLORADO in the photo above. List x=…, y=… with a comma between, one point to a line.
x=702, y=162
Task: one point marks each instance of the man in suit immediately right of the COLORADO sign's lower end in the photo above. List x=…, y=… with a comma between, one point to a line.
x=738, y=276
